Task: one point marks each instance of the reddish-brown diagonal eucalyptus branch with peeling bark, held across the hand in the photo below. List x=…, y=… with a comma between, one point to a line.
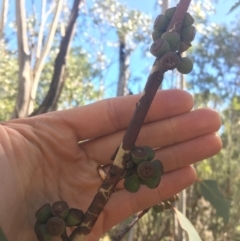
x=117, y=169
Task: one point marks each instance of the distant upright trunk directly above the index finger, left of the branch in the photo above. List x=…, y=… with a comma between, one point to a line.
x=124, y=55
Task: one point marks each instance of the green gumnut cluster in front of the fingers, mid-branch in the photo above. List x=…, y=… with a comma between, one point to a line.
x=141, y=169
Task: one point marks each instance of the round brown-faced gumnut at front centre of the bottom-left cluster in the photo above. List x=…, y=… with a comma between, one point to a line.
x=55, y=226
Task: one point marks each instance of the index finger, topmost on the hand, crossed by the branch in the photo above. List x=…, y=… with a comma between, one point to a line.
x=110, y=115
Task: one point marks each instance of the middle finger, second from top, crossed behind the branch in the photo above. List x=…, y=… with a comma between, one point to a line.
x=158, y=134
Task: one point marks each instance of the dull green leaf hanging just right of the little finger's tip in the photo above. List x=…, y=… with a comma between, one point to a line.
x=210, y=191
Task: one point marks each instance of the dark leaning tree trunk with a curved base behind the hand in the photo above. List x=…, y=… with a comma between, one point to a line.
x=57, y=82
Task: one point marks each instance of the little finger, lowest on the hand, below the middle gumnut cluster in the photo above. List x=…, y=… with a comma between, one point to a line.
x=124, y=204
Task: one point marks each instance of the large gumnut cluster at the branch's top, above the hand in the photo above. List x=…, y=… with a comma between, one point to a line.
x=169, y=45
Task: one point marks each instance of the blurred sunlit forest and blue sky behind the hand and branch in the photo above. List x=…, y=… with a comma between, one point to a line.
x=106, y=48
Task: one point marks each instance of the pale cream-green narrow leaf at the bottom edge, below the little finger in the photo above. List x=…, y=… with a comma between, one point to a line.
x=187, y=226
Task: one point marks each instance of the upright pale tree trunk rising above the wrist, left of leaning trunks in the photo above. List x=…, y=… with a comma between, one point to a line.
x=24, y=73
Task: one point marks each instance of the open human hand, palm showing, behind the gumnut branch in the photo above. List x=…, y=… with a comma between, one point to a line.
x=55, y=156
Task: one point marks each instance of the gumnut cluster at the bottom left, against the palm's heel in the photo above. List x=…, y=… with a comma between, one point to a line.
x=53, y=220
